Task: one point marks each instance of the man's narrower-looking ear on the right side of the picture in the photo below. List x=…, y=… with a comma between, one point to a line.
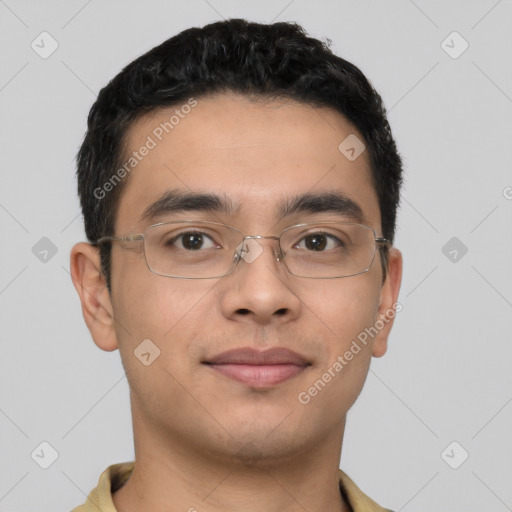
x=388, y=306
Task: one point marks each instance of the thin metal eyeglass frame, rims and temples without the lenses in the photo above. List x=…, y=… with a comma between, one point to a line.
x=380, y=242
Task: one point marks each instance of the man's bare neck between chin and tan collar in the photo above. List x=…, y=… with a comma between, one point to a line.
x=171, y=476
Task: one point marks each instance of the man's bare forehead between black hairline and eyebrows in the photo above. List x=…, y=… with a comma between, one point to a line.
x=257, y=156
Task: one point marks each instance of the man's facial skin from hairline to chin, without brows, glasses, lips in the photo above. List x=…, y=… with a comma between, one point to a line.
x=258, y=156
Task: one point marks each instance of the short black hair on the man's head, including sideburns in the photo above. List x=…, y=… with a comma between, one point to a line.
x=277, y=60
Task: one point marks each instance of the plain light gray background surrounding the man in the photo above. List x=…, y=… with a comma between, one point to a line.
x=446, y=376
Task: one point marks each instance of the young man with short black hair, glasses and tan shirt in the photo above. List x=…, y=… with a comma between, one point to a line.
x=239, y=186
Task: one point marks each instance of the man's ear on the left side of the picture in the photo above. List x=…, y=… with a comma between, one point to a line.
x=92, y=289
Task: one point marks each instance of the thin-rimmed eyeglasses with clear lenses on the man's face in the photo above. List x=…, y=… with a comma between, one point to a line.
x=192, y=249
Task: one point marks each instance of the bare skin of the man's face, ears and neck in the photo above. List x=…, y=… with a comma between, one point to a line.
x=203, y=440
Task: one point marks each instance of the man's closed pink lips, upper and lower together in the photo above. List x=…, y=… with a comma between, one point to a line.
x=259, y=369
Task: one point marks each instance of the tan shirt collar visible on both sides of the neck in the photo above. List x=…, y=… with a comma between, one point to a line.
x=115, y=476
